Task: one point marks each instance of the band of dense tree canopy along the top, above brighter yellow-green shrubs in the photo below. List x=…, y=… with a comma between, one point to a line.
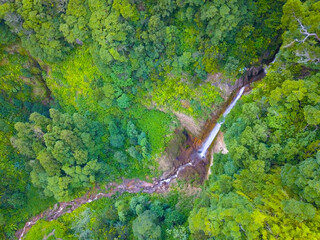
x=191, y=36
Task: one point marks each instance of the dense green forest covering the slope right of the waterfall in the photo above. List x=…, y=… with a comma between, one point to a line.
x=266, y=187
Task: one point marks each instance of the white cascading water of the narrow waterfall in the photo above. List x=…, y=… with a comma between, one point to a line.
x=203, y=150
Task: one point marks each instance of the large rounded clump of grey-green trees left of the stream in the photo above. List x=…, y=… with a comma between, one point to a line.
x=62, y=150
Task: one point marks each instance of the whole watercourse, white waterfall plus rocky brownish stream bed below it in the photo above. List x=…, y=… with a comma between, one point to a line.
x=136, y=185
